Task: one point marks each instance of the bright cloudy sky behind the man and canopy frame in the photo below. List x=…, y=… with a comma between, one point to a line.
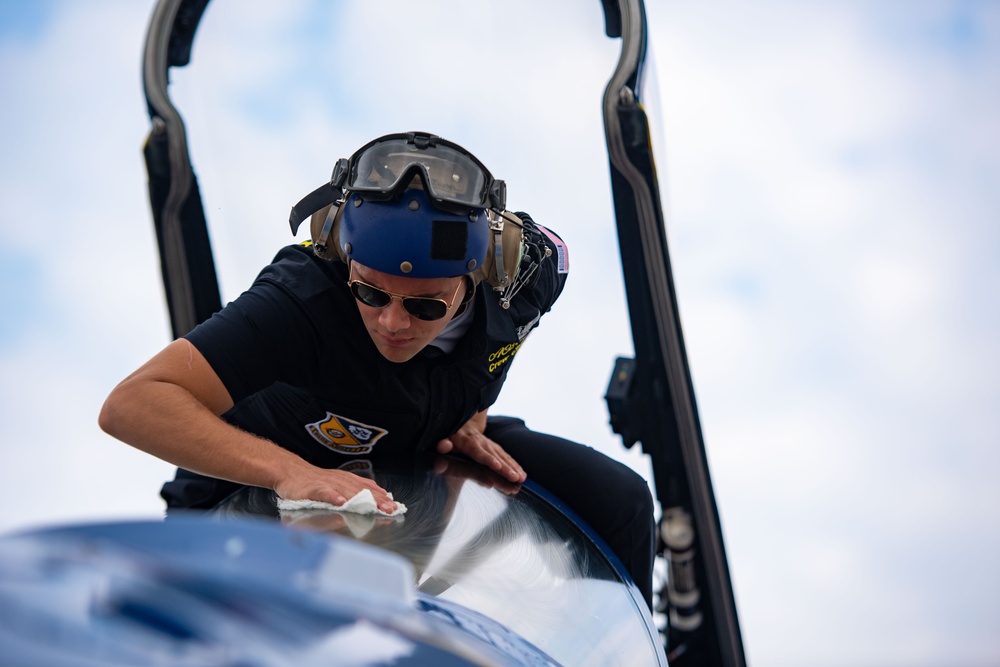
x=832, y=185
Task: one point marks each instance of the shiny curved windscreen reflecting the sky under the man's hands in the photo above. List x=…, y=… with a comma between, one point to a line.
x=509, y=555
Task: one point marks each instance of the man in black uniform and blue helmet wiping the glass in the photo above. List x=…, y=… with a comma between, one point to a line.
x=391, y=333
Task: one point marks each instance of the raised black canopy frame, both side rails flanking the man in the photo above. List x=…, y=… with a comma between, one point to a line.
x=650, y=398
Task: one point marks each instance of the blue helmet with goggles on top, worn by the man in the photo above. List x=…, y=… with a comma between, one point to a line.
x=410, y=204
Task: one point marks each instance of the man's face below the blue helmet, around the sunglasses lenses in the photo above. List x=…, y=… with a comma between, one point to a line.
x=398, y=335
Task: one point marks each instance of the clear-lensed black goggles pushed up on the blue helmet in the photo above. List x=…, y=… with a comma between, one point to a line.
x=453, y=178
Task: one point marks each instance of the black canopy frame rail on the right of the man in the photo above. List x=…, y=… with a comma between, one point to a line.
x=651, y=398
